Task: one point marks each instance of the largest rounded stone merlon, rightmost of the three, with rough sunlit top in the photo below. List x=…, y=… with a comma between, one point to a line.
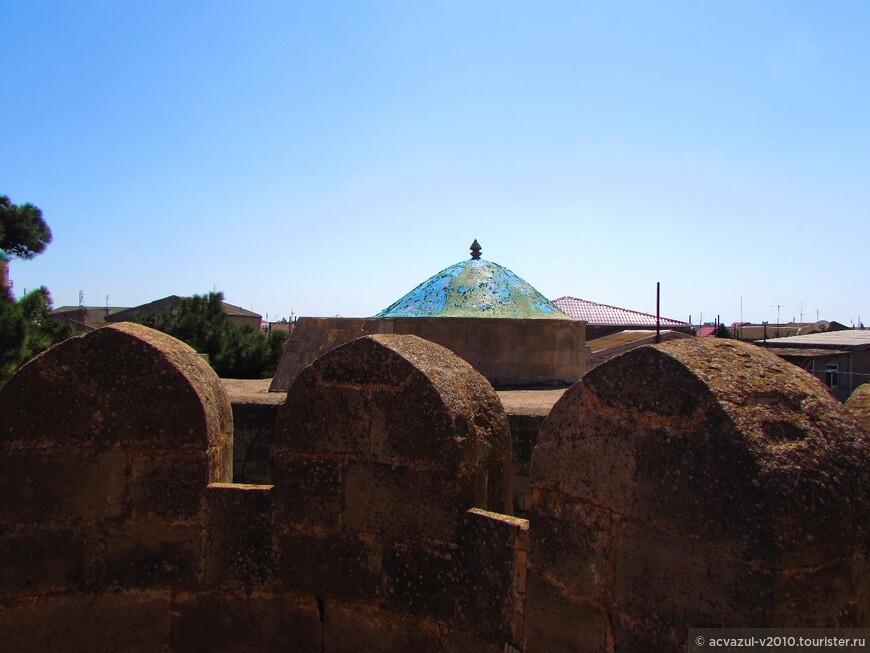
x=699, y=483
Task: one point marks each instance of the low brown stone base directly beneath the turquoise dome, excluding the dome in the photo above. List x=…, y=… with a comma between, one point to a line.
x=507, y=352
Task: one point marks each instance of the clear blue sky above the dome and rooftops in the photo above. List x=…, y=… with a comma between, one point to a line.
x=329, y=156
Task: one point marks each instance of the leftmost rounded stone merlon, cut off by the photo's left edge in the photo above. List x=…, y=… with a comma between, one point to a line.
x=107, y=444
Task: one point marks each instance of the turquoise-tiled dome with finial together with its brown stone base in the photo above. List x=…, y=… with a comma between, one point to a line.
x=483, y=312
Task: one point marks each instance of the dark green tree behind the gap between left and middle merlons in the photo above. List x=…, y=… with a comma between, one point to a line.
x=234, y=351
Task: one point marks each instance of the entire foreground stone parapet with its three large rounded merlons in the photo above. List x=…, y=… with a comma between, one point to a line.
x=697, y=483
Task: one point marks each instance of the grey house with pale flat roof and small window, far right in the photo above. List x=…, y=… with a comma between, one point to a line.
x=840, y=359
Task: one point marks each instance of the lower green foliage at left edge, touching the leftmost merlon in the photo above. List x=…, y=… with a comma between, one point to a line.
x=26, y=329
